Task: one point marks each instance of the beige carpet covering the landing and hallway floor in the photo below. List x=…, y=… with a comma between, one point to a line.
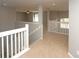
x=52, y=46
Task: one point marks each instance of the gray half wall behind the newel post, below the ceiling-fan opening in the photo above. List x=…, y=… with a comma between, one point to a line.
x=33, y=35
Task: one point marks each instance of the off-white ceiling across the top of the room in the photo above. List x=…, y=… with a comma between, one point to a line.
x=46, y=4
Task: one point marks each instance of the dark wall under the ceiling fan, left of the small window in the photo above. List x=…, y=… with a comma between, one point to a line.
x=22, y=16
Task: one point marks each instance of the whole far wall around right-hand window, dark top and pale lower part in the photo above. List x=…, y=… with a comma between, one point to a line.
x=56, y=16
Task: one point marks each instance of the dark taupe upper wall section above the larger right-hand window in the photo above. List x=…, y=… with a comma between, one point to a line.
x=58, y=14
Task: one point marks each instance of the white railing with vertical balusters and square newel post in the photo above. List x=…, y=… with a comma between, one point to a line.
x=14, y=42
